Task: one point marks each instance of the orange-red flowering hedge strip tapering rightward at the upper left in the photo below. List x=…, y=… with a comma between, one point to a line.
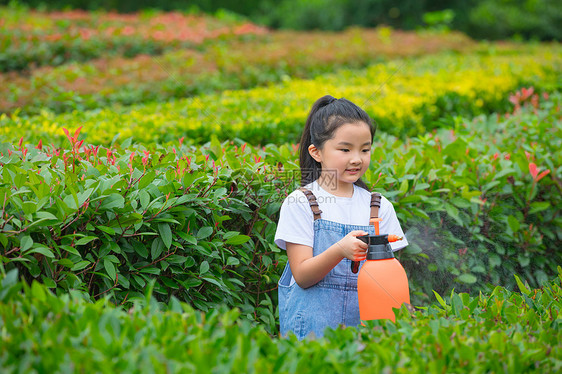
x=29, y=39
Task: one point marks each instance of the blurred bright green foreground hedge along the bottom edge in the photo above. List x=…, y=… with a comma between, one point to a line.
x=497, y=331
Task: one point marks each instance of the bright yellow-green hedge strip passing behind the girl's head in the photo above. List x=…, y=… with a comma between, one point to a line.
x=405, y=97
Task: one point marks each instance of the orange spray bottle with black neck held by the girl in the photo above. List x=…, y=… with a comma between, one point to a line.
x=382, y=283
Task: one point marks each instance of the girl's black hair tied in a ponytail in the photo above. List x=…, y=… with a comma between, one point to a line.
x=326, y=116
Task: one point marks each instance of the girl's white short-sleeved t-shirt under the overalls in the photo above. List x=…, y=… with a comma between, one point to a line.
x=296, y=221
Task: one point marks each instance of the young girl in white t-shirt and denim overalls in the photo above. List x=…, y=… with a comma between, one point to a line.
x=318, y=225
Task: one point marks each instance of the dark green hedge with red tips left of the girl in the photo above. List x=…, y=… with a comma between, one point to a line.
x=97, y=219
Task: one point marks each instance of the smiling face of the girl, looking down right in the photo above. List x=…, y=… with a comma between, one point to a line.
x=346, y=156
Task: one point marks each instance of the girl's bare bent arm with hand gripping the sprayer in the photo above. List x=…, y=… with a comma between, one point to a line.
x=309, y=270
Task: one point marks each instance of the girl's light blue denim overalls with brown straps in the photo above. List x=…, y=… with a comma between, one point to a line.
x=332, y=301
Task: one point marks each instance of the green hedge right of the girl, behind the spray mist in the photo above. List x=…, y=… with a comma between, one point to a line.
x=481, y=199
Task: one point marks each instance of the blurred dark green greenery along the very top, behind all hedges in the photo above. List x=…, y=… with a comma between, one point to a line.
x=488, y=19
